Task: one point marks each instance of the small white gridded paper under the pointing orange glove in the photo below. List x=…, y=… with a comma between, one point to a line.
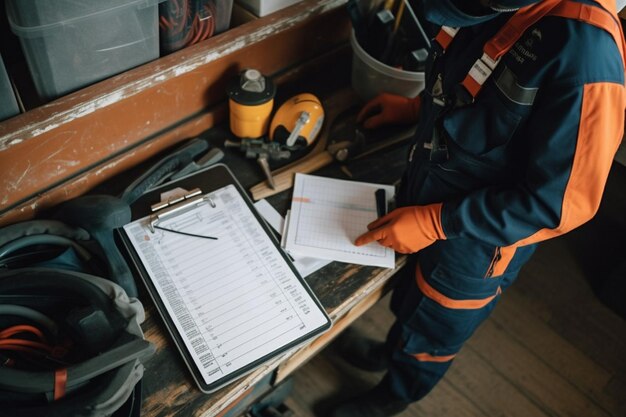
x=327, y=215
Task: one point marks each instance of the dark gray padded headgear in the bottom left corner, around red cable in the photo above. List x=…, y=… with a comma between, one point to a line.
x=73, y=305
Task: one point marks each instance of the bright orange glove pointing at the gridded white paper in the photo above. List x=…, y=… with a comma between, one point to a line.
x=406, y=229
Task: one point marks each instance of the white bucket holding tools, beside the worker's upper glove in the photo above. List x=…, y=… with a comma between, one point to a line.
x=371, y=77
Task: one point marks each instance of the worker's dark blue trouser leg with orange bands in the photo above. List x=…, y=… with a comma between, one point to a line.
x=435, y=316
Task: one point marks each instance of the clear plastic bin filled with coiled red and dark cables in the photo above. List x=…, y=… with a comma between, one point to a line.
x=186, y=22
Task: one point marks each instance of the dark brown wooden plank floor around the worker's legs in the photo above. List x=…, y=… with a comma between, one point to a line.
x=551, y=347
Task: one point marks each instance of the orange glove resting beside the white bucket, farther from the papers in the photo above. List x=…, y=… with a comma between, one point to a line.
x=388, y=109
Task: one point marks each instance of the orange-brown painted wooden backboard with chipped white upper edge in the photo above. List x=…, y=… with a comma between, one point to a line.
x=93, y=127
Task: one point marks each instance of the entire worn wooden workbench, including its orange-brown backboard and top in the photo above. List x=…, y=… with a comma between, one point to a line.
x=81, y=142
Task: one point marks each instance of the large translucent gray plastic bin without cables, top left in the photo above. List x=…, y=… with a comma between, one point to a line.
x=70, y=44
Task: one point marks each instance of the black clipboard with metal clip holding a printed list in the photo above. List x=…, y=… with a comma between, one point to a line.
x=227, y=293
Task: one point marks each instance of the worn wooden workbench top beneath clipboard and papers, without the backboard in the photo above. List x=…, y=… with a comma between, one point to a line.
x=346, y=292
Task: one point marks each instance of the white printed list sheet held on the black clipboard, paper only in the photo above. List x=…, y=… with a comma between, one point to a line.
x=234, y=299
